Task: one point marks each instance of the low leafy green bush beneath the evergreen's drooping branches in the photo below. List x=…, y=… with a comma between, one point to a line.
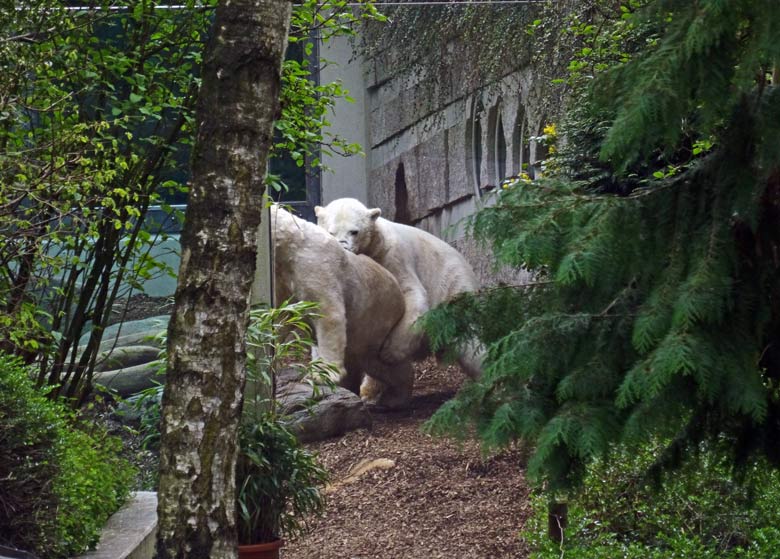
x=702, y=512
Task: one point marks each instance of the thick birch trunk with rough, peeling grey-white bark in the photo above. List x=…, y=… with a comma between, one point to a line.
x=206, y=348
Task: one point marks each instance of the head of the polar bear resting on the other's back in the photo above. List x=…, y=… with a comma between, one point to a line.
x=351, y=223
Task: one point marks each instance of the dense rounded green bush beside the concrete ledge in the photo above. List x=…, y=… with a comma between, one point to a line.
x=58, y=483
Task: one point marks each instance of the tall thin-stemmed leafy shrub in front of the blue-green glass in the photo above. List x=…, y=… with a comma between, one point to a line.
x=111, y=140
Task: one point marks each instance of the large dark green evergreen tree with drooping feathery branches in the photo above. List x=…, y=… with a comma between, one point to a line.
x=656, y=310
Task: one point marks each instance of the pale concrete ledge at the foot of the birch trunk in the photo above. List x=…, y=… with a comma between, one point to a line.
x=130, y=532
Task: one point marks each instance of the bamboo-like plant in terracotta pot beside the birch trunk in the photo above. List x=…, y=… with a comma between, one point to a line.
x=278, y=482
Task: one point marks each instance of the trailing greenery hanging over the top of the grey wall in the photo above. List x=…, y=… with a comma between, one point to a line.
x=473, y=47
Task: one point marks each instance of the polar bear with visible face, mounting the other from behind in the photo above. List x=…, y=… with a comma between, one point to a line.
x=429, y=270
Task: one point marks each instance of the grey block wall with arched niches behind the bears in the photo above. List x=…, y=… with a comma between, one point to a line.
x=437, y=144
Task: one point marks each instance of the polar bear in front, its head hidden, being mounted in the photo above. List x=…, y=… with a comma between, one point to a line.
x=310, y=265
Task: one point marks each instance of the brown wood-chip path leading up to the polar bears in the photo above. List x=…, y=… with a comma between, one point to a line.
x=419, y=497
